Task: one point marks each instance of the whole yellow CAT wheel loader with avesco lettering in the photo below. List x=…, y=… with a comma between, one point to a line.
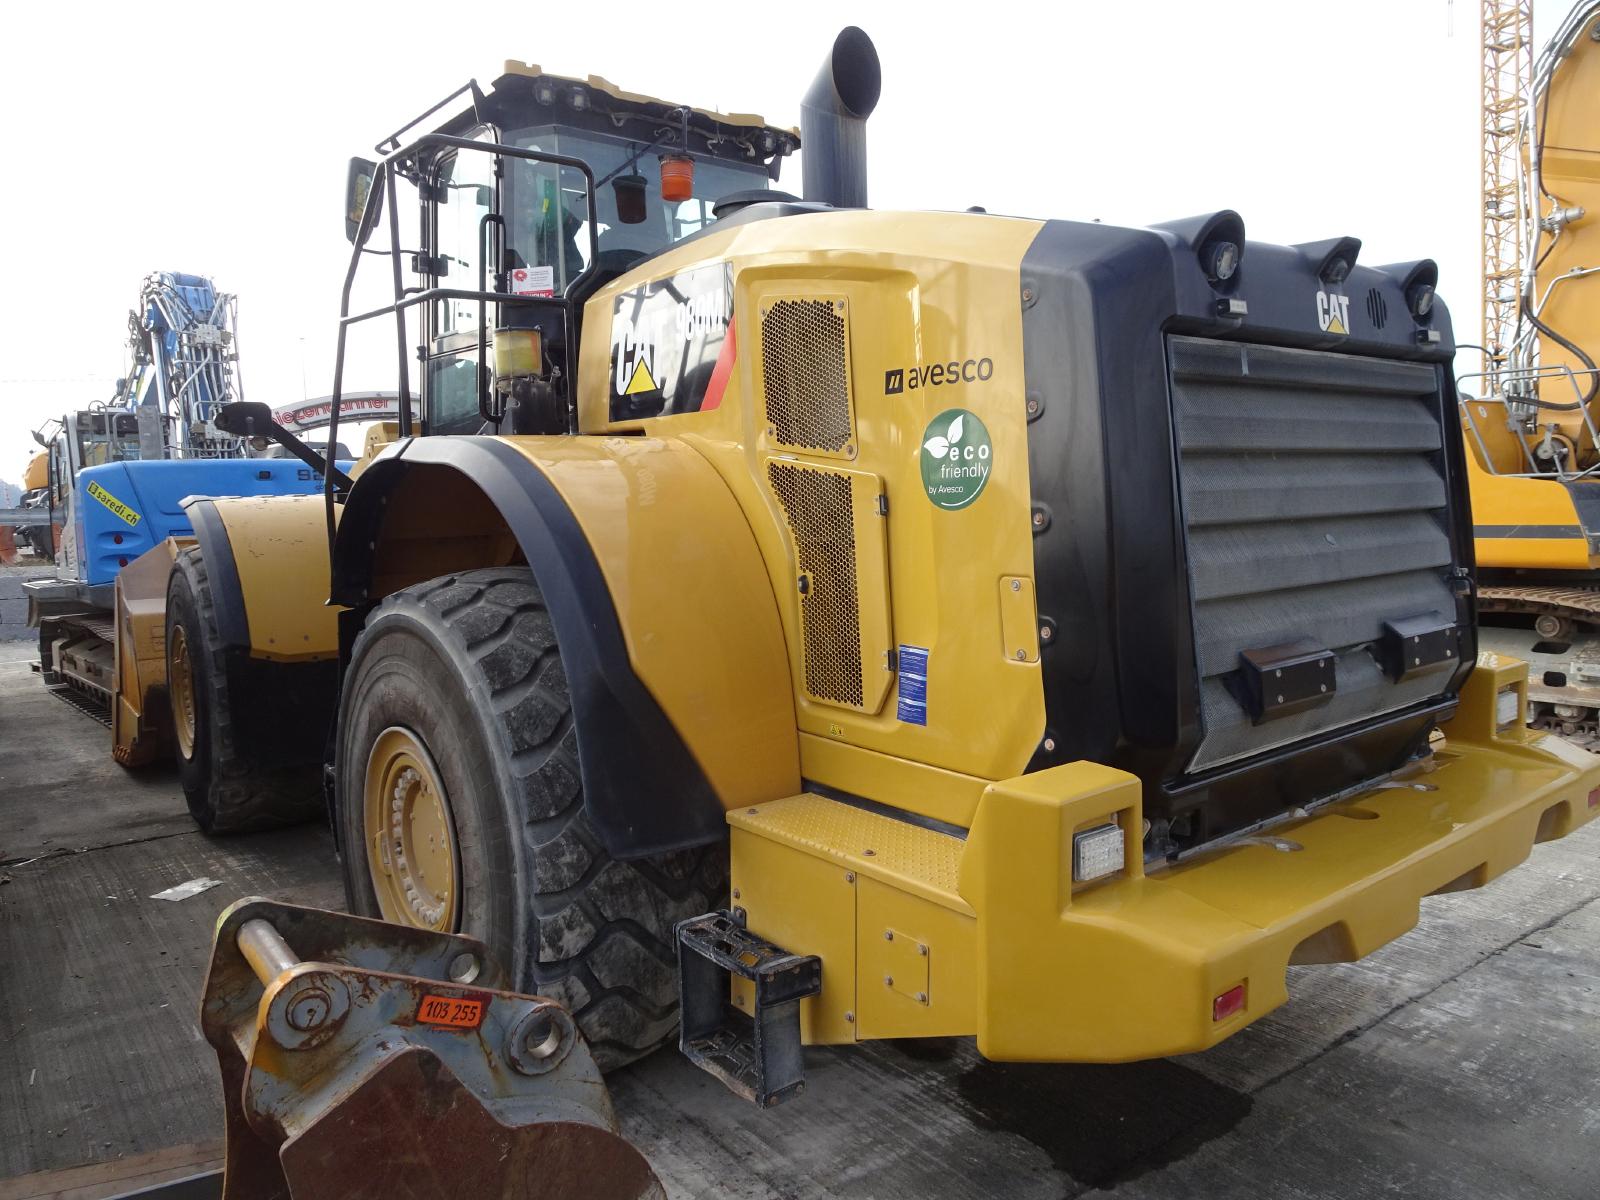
x=839, y=625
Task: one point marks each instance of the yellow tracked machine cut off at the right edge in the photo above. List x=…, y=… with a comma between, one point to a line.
x=1532, y=417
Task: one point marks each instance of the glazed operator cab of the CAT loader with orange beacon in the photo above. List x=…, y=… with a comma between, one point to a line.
x=575, y=185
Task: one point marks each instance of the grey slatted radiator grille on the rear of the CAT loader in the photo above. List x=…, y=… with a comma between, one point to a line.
x=1314, y=510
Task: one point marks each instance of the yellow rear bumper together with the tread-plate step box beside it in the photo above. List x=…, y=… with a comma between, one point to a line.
x=924, y=934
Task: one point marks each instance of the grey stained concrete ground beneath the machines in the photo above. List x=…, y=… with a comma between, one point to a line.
x=1460, y=1062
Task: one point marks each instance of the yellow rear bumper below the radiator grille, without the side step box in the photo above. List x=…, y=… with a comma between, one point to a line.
x=1134, y=967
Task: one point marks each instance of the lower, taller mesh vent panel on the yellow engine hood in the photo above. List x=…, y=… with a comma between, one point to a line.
x=818, y=506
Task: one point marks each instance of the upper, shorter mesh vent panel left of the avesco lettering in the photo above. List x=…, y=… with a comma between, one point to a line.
x=806, y=374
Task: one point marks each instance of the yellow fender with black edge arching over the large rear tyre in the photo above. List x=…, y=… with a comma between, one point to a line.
x=662, y=602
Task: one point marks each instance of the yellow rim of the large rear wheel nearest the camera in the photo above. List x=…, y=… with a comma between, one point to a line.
x=410, y=834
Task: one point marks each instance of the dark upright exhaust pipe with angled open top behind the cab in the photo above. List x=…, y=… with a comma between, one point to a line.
x=834, y=122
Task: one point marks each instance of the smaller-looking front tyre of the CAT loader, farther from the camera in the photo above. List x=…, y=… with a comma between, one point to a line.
x=230, y=790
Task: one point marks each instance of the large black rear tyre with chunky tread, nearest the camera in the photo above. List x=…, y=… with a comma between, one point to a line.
x=468, y=666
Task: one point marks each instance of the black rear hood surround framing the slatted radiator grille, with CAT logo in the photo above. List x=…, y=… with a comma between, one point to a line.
x=1122, y=679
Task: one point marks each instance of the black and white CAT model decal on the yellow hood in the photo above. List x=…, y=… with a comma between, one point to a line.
x=666, y=340
